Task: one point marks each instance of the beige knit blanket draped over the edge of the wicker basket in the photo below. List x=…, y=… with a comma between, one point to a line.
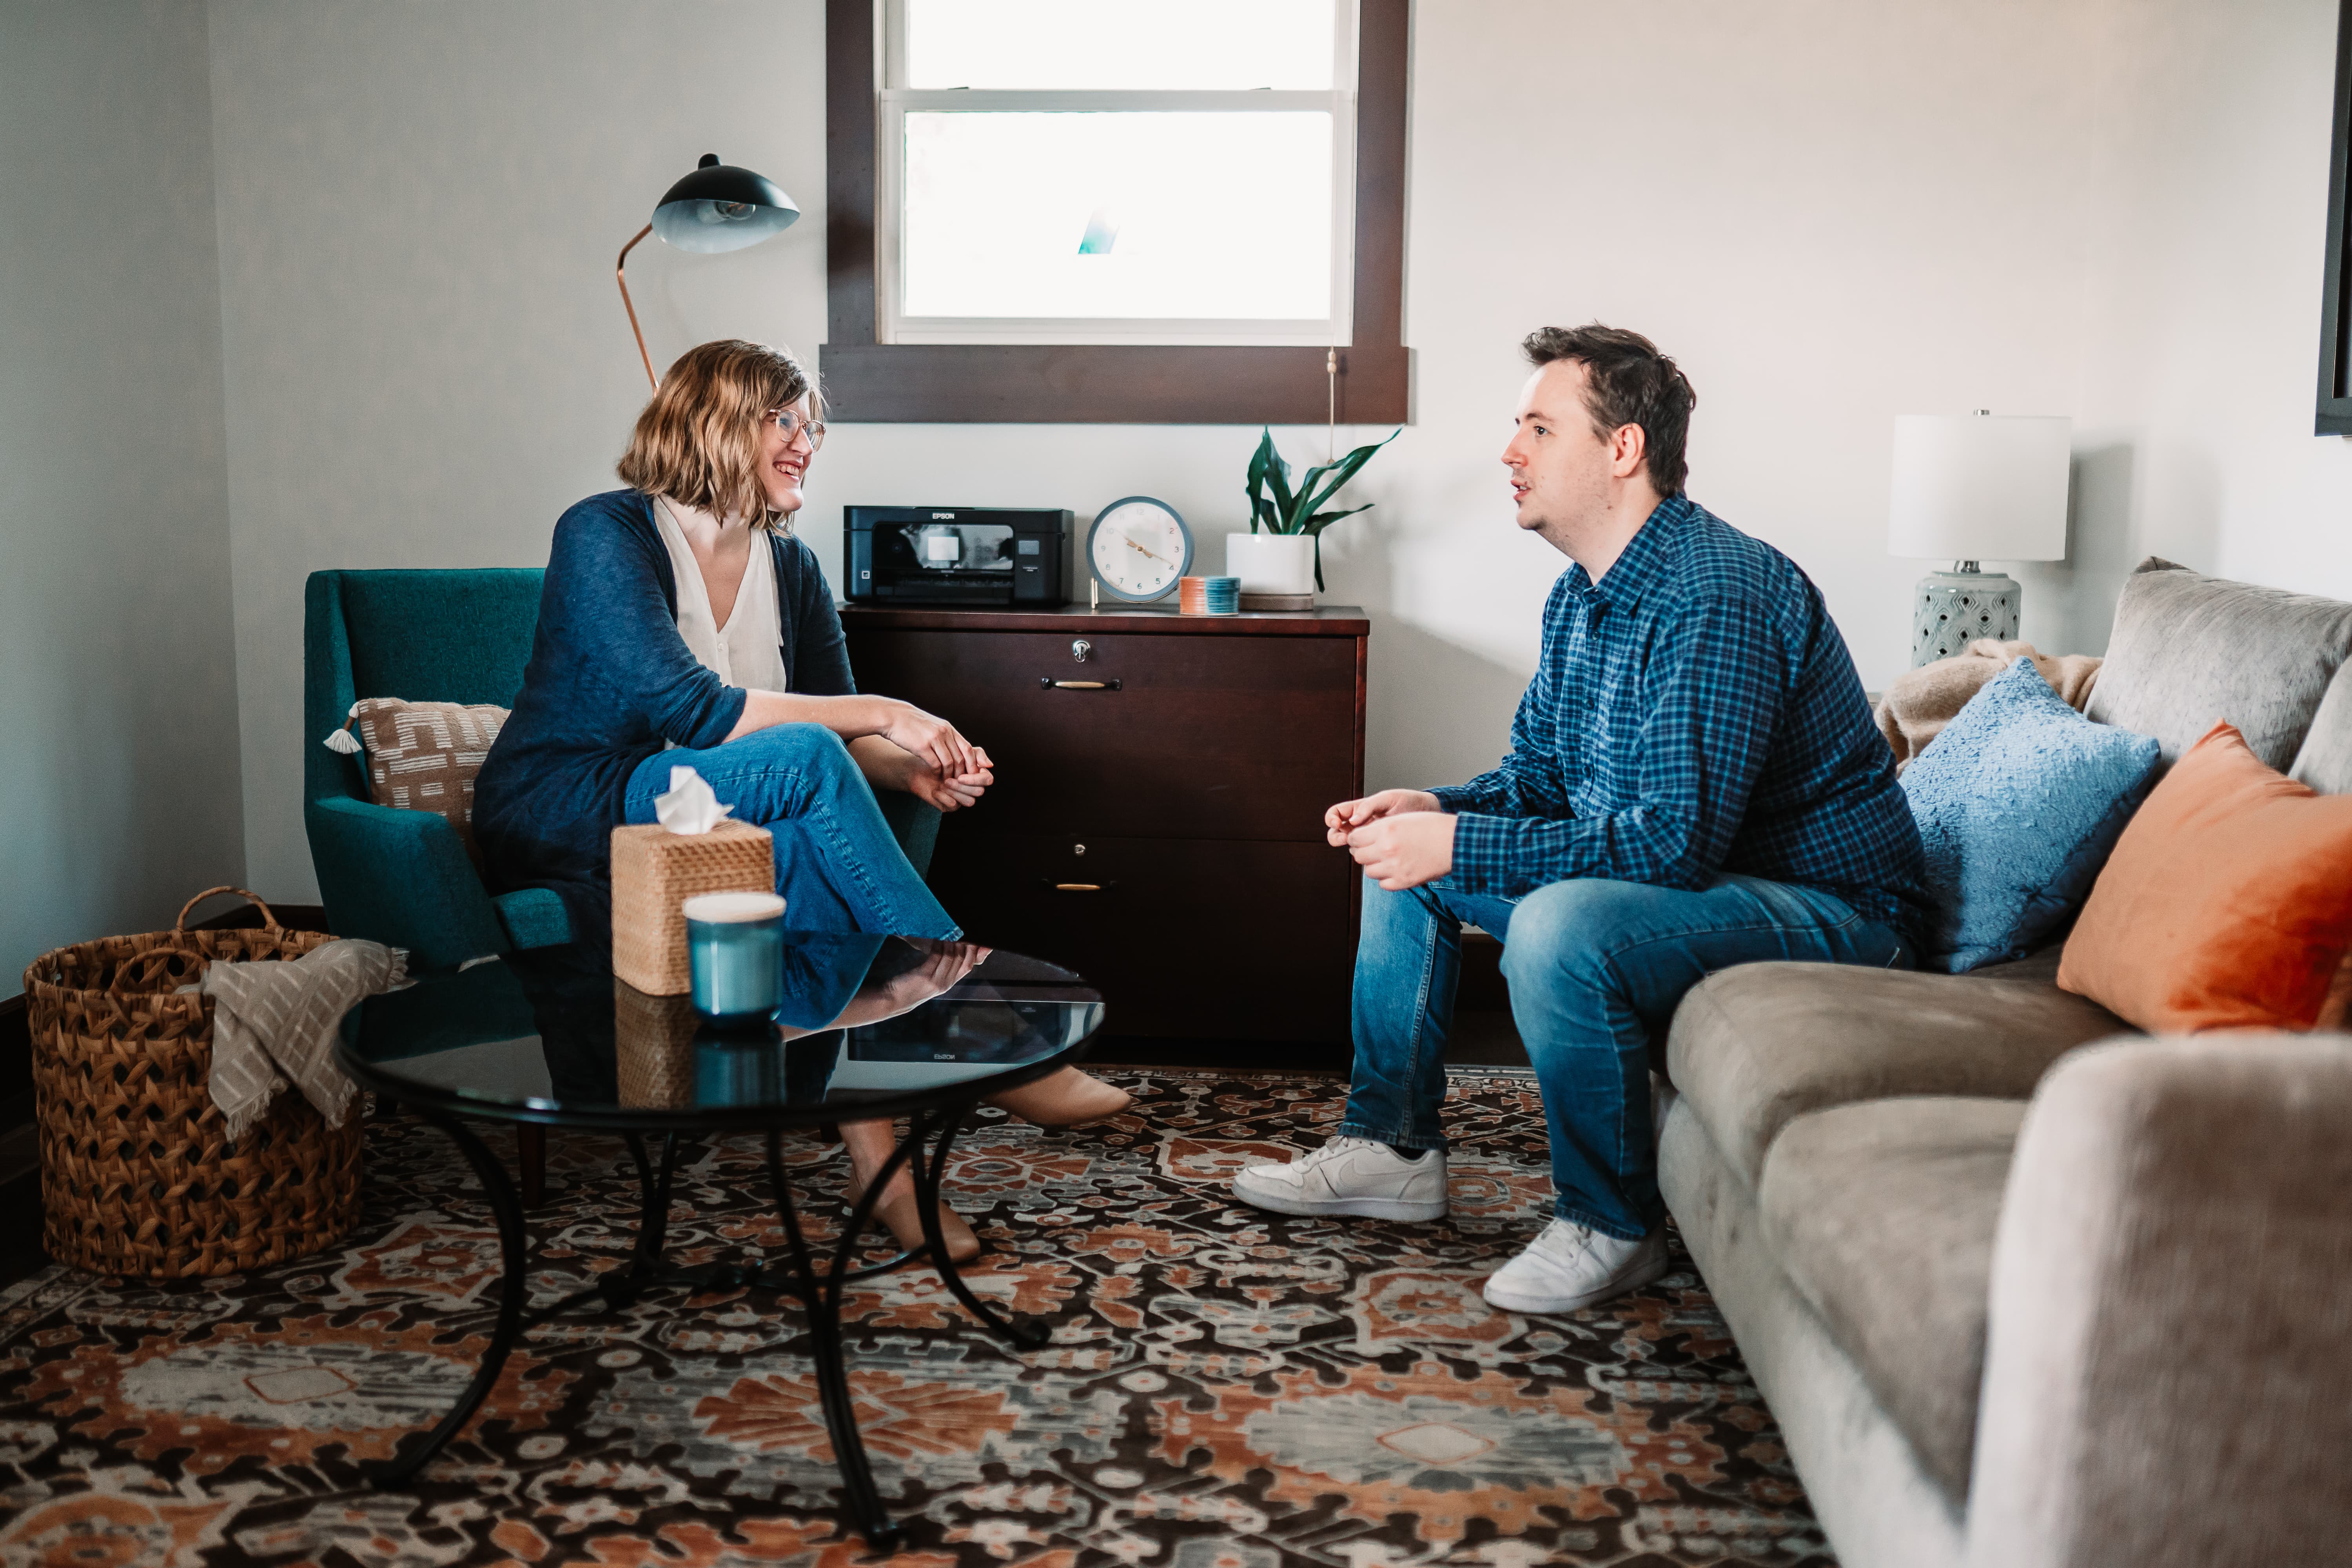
x=276, y=1024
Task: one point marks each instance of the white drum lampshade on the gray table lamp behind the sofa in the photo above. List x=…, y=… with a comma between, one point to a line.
x=1979, y=488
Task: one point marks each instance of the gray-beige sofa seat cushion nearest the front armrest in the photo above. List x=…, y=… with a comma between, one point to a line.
x=1883, y=1217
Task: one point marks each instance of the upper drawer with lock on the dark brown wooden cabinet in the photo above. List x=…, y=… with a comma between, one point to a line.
x=1175, y=737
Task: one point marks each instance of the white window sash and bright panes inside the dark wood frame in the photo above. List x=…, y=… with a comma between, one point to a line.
x=1102, y=173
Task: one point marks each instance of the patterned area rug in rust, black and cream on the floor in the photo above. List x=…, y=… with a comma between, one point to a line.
x=1224, y=1388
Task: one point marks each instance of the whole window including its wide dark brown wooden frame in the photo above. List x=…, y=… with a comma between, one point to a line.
x=1116, y=210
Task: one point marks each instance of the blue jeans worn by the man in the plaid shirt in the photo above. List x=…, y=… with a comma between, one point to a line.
x=1593, y=970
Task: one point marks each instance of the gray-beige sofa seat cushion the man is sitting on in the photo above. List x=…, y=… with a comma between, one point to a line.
x=1760, y=1045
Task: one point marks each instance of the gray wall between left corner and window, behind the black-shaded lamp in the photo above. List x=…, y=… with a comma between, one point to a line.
x=427, y=359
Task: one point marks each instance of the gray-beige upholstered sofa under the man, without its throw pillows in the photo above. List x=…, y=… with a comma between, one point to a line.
x=2024, y=1287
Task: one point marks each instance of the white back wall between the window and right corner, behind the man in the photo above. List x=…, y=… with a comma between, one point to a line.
x=1829, y=210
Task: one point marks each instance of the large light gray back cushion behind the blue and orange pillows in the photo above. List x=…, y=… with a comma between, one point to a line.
x=2191, y=650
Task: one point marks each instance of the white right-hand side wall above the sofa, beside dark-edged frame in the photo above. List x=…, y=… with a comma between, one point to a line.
x=2203, y=349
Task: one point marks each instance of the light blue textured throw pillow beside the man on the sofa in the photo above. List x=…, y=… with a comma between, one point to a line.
x=2019, y=803
